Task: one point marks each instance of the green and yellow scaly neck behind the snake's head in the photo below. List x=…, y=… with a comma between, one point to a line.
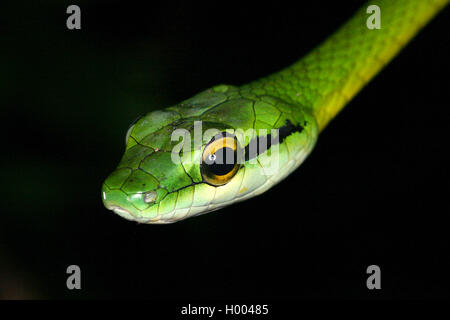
x=327, y=78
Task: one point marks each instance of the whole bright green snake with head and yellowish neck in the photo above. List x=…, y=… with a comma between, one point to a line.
x=238, y=142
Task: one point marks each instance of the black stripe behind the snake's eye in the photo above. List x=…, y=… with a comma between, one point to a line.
x=257, y=145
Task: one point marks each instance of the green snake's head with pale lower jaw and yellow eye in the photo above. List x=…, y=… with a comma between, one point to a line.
x=222, y=146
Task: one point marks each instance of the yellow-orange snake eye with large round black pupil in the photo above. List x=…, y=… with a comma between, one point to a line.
x=220, y=160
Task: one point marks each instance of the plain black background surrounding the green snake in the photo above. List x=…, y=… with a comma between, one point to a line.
x=374, y=190
